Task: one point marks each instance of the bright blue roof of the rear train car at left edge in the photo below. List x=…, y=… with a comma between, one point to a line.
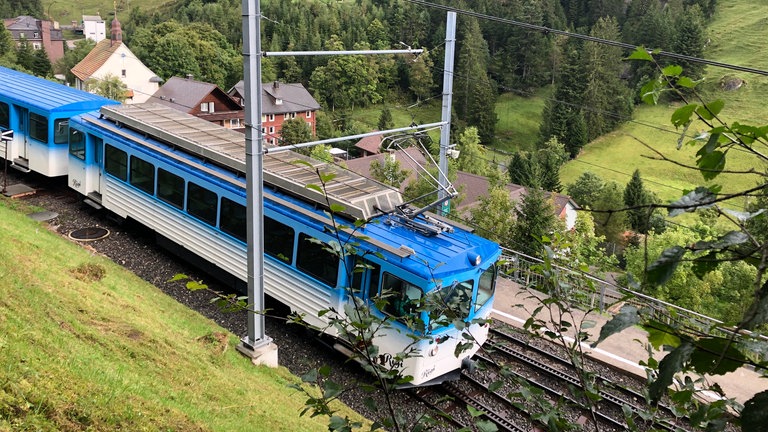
x=27, y=90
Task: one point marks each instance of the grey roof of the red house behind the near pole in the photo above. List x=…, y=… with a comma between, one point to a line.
x=280, y=98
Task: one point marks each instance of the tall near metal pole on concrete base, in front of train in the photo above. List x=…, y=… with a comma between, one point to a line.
x=254, y=162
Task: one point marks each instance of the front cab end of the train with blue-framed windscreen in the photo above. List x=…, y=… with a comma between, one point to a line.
x=437, y=299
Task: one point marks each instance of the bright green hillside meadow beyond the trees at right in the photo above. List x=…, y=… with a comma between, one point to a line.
x=737, y=34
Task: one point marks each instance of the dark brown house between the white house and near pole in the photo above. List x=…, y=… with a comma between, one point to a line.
x=201, y=99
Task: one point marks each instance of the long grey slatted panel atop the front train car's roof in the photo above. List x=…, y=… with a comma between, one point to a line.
x=361, y=197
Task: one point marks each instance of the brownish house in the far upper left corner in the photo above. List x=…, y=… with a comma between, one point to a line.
x=40, y=34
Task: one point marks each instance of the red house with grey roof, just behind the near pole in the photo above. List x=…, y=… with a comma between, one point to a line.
x=280, y=102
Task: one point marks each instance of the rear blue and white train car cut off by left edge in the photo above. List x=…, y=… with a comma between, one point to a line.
x=38, y=112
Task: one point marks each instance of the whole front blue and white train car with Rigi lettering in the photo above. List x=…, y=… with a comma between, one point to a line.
x=184, y=178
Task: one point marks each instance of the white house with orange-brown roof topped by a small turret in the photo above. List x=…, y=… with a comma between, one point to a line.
x=112, y=57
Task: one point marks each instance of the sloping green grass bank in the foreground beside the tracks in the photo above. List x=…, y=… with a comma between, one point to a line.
x=87, y=345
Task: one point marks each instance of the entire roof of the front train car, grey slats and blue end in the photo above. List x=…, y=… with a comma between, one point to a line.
x=429, y=256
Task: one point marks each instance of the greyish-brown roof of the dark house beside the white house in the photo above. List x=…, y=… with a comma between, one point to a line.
x=185, y=94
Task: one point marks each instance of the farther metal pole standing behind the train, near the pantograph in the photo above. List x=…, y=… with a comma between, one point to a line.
x=445, y=132
